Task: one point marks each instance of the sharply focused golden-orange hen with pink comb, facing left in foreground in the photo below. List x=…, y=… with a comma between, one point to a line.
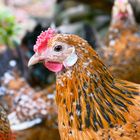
x=92, y=104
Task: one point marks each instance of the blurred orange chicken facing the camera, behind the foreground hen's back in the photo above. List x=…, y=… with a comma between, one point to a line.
x=122, y=50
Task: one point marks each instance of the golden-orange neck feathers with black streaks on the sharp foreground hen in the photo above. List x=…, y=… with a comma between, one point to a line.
x=88, y=96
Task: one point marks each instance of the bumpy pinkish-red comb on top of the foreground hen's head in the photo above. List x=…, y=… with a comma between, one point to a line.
x=42, y=40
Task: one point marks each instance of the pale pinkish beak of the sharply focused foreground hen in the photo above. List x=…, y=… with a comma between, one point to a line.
x=36, y=58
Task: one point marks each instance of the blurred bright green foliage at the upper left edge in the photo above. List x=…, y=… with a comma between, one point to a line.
x=8, y=27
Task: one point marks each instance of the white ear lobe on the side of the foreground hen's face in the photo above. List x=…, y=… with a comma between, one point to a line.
x=71, y=60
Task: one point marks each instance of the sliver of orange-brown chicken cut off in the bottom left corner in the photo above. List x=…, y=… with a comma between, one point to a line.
x=5, y=131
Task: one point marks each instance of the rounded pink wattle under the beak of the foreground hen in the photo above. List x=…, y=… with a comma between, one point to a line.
x=54, y=66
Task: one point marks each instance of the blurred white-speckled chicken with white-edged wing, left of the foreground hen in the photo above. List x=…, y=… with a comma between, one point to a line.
x=32, y=114
